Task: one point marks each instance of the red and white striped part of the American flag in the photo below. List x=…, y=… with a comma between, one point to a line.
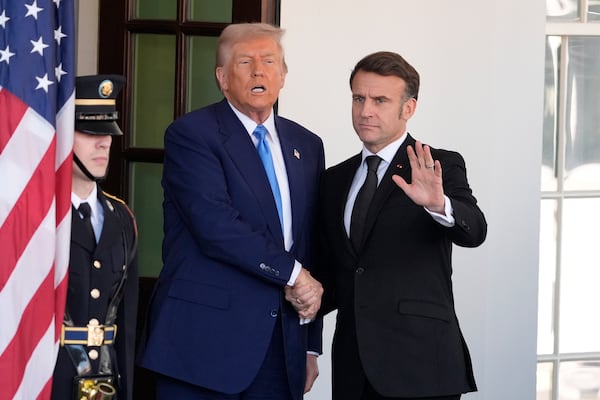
x=35, y=225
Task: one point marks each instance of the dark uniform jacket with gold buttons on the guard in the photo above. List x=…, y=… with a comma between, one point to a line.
x=94, y=273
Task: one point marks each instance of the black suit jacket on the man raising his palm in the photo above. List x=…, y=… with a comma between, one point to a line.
x=394, y=297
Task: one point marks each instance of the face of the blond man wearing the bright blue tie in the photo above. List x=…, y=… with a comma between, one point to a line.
x=253, y=76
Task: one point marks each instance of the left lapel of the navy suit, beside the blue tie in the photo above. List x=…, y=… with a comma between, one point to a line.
x=242, y=152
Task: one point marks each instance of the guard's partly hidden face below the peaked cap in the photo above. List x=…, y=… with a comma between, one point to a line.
x=93, y=151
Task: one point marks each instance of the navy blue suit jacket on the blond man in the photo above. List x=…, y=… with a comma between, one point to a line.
x=225, y=267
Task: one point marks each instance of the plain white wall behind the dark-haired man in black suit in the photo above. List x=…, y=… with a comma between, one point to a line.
x=481, y=64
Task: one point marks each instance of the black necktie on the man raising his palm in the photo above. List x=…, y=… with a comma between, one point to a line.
x=362, y=202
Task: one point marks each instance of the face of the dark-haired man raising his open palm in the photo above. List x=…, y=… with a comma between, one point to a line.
x=379, y=112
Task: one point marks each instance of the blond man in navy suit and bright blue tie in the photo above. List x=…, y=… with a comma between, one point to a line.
x=240, y=189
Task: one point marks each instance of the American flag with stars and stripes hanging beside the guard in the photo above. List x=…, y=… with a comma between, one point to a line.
x=37, y=46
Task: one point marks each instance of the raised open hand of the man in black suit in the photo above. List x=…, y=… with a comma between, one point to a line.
x=426, y=187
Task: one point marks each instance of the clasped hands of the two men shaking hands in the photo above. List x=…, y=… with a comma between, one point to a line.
x=305, y=295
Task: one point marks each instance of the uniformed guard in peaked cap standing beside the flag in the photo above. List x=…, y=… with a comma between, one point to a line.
x=96, y=355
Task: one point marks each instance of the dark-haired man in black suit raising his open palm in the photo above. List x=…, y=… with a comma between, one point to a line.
x=388, y=219
